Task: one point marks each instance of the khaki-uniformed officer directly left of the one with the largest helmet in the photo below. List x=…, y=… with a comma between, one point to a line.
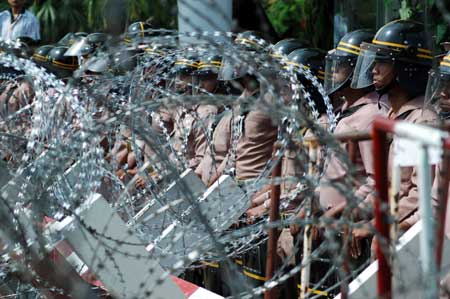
x=360, y=108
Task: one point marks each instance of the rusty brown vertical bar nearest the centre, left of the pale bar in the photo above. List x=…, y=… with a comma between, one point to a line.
x=274, y=215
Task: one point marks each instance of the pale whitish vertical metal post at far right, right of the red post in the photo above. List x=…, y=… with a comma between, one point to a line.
x=426, y=214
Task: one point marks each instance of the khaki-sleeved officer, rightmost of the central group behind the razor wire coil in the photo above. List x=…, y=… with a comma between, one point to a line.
x=250, y=141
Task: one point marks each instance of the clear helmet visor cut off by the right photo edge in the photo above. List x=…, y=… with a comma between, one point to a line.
x=438, y=91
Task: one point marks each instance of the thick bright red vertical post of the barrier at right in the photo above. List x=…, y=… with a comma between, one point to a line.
x=380, y=148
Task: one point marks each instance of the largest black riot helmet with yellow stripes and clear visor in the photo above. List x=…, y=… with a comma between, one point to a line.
x=404, y=45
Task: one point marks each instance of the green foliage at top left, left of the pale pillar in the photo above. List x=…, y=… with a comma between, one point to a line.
x=58, y=17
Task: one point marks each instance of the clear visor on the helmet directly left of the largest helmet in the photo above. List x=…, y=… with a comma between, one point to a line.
x=338, y=71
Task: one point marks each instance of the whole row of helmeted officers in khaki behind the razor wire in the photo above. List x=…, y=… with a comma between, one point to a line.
x=368, y=75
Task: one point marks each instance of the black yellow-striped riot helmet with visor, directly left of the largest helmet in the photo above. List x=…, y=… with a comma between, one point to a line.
x=340, y=62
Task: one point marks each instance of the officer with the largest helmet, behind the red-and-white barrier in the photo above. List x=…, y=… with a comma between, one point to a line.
x=397, y=63
